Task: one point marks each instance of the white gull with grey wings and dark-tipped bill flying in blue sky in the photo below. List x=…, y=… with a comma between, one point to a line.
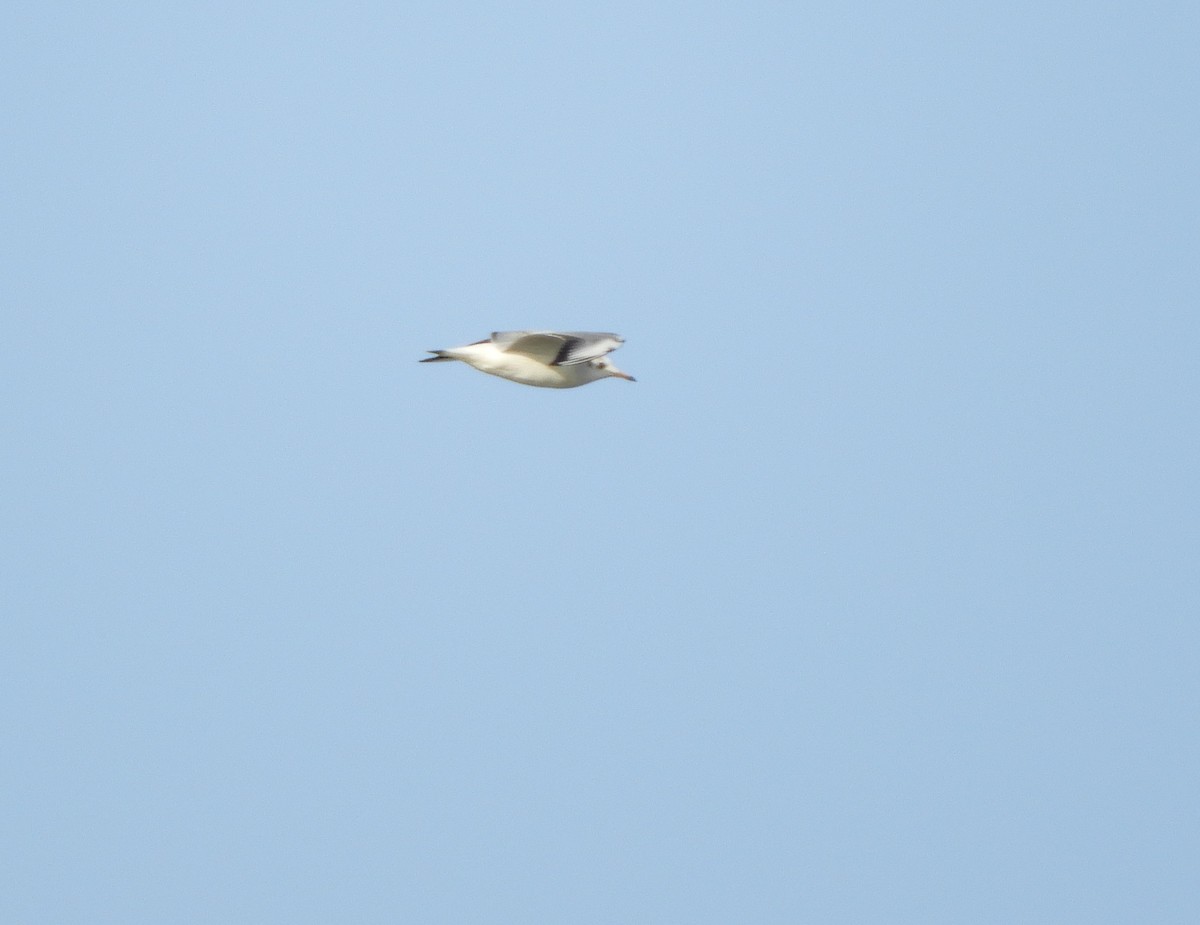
x=550, y=359
